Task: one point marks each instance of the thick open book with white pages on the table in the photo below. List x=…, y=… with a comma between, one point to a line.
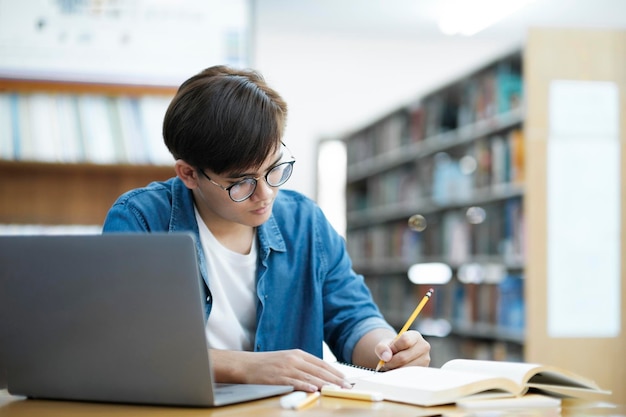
x=461, y=378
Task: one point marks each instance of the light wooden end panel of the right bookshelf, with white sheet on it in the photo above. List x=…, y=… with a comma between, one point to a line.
x=588, y=59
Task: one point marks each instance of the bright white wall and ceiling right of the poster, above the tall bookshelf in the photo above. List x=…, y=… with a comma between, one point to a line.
x=341, y=64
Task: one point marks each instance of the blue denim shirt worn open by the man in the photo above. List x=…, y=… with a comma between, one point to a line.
x=306, y=288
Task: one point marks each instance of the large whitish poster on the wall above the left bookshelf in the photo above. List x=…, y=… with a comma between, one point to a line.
x=147, y=42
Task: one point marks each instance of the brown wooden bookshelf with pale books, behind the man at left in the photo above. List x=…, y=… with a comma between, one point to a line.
x=69, y=149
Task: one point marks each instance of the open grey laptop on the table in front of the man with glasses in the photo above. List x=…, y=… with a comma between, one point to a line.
x=109, y=318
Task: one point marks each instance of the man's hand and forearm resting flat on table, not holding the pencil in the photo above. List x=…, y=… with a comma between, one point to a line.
x=303, y=371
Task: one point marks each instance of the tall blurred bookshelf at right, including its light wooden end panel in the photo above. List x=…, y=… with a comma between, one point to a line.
x=490, y=165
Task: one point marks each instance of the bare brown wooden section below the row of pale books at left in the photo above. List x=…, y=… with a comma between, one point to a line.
x=56, y=194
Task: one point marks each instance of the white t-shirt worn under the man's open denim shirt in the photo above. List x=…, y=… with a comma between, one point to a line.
x=232, y=322
